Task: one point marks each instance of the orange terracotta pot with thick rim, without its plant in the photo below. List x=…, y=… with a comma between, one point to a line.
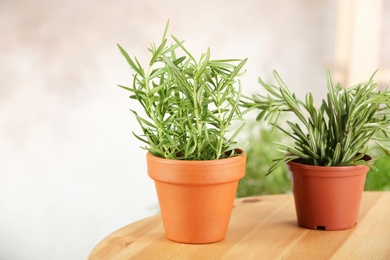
x=196, y=197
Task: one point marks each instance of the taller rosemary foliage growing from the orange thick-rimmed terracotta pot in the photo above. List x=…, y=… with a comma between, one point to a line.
x=189, y=105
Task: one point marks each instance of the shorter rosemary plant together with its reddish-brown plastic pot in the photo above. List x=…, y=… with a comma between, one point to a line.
x=328, y=160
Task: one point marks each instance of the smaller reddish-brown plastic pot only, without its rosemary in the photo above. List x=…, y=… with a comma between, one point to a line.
x=327, y=198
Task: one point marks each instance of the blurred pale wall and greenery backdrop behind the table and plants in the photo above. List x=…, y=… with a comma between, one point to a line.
x=70, y=170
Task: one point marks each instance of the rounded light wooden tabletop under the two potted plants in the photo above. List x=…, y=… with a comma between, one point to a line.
x=261, y=227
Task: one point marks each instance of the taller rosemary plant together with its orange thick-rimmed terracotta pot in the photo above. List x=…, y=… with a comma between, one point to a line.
x=188, y=109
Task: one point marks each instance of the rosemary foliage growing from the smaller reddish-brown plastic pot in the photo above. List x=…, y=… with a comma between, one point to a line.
x=334, y=134
